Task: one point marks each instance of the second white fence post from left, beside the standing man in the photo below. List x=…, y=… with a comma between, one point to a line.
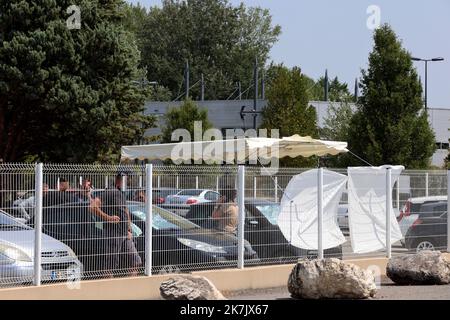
x=148, y=218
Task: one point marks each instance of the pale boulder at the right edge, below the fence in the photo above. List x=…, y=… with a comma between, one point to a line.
x=425, y=267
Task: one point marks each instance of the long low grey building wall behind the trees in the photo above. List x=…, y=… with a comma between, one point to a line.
x=225, y=114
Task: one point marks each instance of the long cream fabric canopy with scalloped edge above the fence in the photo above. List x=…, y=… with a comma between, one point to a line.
x=237, y=149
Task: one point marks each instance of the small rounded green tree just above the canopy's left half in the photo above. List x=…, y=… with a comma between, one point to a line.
x=183, y=117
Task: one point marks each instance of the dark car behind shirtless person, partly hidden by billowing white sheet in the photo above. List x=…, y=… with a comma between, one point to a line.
x=261, y=231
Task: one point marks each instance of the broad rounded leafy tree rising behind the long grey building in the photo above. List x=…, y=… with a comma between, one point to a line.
x=219, y=40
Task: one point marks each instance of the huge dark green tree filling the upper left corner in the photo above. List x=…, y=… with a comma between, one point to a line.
x=67, y=94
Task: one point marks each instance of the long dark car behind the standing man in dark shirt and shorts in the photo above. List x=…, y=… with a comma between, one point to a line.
x=177, y=243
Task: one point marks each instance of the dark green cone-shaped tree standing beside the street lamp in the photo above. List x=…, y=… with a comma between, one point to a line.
x=390, y=125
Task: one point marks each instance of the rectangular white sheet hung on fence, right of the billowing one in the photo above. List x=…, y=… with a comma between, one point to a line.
x=367, y=208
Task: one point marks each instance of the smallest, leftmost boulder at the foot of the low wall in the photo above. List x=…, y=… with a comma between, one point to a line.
x=188, y=287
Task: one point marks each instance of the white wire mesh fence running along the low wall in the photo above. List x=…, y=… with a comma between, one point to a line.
x=64, y=222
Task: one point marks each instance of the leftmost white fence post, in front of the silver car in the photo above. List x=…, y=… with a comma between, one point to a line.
x=38, y=224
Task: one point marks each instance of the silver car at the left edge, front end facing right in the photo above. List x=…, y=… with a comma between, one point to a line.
x=59, y=262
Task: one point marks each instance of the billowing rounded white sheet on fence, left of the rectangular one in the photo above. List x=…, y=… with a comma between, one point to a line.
x=298, y=210
